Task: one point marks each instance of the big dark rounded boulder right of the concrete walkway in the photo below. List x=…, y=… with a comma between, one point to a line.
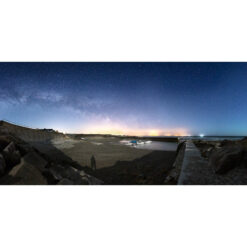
x=224, y=159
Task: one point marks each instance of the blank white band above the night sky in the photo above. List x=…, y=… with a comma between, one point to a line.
x=125, y=30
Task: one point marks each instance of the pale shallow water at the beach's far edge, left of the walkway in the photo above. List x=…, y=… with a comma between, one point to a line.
x=154, y=145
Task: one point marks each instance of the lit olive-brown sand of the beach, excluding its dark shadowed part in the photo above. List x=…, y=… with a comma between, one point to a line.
x=106, y=150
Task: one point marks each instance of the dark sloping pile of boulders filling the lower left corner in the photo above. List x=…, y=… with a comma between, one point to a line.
x=21, y=164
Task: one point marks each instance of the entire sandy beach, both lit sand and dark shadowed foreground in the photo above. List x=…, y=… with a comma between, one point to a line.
x=116, y=163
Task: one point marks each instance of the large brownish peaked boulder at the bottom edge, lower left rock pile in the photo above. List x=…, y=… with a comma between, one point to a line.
x=27, y=174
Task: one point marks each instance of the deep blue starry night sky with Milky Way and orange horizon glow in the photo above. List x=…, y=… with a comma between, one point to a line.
x=127, y=98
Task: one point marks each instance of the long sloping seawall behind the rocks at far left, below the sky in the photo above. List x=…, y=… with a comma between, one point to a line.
x=29, y=134
